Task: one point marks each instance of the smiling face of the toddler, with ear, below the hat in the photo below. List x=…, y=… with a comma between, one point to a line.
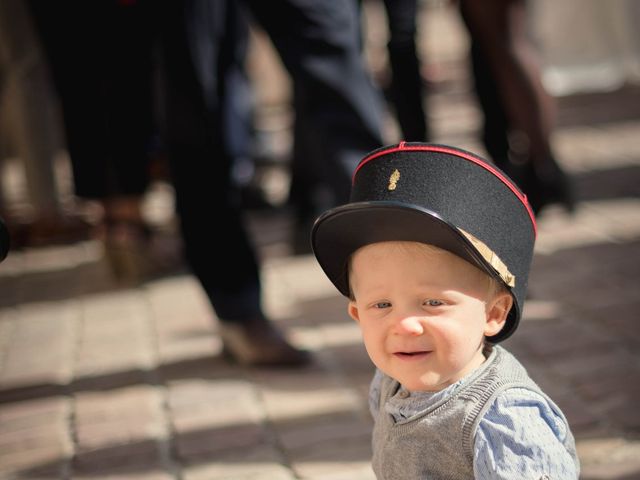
x=423, y=312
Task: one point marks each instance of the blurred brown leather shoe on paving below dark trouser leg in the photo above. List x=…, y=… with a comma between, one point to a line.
x=258, y=343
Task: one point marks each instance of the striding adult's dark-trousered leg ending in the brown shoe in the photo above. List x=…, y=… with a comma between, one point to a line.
x=217, y=246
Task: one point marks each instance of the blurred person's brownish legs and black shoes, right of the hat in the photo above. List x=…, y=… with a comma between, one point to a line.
x=518, y=112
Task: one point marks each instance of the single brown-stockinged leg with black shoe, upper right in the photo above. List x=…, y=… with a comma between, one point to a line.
x=499, y=28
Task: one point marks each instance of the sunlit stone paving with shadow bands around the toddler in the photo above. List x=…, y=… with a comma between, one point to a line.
x=99, y=381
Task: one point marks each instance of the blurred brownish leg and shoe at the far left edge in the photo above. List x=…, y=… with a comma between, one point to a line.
x=30, y=135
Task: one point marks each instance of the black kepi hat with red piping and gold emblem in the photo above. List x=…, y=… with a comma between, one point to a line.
x=438, y=195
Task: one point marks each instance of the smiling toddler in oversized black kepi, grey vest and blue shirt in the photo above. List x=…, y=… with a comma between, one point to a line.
x=433, y=251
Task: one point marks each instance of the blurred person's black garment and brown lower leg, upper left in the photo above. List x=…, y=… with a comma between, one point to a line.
x=101, y=58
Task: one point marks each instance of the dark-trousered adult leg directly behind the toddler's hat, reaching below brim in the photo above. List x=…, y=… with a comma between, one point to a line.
x=337, y=111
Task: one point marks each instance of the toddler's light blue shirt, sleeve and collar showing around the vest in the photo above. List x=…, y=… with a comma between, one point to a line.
x=519, y=435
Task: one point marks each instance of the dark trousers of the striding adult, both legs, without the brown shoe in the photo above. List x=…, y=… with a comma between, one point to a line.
x=318, y=42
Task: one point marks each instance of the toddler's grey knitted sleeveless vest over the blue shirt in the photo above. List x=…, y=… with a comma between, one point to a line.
x=438, y=443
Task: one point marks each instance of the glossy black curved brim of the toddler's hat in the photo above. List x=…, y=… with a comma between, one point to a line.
x=338, y=233
